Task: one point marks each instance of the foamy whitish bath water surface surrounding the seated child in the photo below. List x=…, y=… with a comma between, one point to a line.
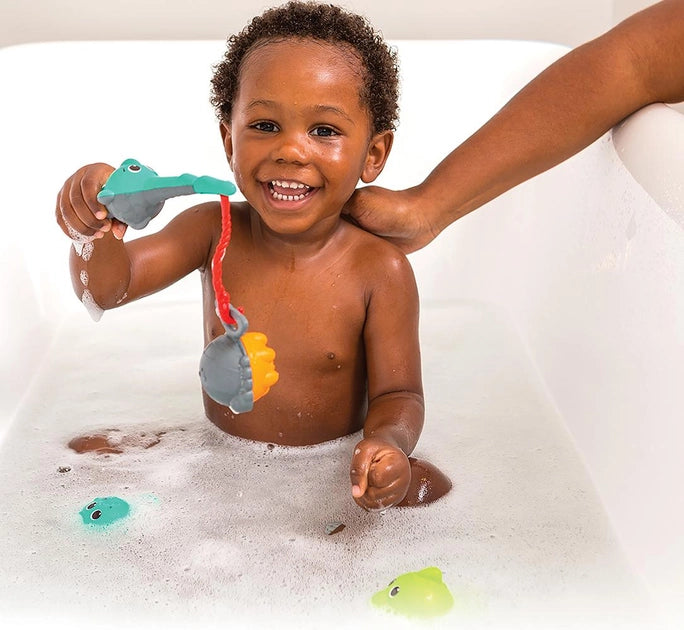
x=225, y=532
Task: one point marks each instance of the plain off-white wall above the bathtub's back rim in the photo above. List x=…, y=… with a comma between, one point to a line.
x=561, y=21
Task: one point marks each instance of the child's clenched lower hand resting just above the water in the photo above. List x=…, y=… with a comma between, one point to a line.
x=380, y=474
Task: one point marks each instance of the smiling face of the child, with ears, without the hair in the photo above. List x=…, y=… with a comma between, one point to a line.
x=300, y=136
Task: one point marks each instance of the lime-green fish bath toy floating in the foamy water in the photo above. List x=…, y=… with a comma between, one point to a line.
x=420, y=594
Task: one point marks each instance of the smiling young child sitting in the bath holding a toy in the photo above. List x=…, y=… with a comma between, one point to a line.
x=307, y=100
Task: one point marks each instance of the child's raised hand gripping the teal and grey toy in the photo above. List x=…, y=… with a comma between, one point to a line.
x=78, y=212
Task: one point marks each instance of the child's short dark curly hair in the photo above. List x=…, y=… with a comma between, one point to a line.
x=322, y=22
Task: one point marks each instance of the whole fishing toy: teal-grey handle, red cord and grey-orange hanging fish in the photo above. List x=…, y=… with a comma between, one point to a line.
x=238, y=367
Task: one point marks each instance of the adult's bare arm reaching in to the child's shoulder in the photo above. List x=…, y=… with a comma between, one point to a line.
x=564, y=109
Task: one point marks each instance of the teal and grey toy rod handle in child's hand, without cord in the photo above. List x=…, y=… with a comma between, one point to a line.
x=134, y=194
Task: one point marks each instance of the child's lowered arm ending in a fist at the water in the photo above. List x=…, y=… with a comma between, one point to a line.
x=380, y=470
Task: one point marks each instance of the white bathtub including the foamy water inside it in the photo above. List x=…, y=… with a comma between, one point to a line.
x=553, y=351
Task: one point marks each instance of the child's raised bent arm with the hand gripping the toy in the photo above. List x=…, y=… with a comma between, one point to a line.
x=119, y=272
